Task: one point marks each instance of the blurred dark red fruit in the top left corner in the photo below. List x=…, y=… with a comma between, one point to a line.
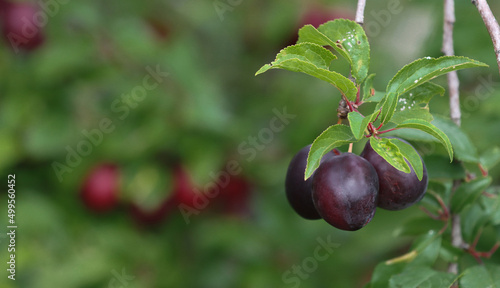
x=21, y=25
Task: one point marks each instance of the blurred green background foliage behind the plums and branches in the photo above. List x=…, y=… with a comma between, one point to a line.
x=203, y=113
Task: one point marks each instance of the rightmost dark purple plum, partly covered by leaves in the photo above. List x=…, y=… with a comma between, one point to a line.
x=397, y=190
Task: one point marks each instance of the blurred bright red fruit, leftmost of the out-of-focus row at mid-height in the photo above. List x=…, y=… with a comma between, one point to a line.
x=101, y=188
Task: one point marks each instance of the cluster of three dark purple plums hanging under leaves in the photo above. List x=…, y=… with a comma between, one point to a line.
x=346, y=188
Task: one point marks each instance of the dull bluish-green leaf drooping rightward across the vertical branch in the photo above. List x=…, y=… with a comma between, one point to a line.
x=462, y=146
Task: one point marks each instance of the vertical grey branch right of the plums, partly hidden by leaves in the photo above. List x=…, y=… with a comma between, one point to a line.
x=455, y=114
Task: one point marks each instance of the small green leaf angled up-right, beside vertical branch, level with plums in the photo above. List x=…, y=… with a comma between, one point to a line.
x=467, y=193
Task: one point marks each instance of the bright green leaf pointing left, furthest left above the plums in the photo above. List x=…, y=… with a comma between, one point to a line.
x=314, y=60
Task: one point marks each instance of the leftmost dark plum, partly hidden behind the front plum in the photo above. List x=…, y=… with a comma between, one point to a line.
x=298, y=191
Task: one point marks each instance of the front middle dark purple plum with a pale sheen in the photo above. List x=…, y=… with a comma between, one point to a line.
x=345, y=190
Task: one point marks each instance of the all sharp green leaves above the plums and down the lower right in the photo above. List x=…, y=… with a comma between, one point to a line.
x=404, y=104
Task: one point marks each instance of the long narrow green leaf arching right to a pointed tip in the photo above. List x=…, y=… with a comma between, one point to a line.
x=417, y=73
